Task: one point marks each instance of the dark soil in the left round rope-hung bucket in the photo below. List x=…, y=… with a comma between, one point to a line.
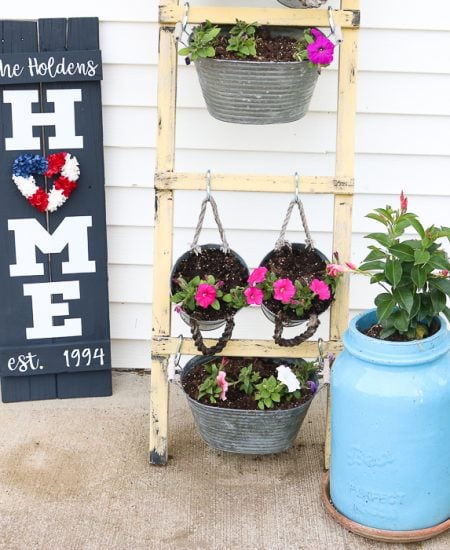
x=224, y=267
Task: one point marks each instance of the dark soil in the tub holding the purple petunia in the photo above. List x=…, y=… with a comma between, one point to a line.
x=268, y=48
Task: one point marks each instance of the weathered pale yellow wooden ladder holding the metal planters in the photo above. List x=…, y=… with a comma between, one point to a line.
x=167, y=181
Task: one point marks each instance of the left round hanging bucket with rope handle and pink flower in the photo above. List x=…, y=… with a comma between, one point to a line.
x=228, y=270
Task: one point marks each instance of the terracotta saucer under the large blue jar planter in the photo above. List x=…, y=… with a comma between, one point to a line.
x=377, y=534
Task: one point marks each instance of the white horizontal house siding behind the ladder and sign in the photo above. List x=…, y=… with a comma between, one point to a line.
x=402, y=142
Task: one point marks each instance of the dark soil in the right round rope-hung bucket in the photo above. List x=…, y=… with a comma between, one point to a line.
x=296, y=263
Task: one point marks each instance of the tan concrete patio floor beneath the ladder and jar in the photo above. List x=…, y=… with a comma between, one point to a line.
x=74, y=474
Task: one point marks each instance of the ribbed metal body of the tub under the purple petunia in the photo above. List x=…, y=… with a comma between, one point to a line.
x=256, y=92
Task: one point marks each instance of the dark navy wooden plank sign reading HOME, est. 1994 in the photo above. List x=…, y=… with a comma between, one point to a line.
x=54, y=322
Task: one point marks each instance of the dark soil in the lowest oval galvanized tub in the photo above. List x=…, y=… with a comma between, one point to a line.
x=237, y=399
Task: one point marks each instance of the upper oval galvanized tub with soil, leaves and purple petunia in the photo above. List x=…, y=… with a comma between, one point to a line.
x=251, y=74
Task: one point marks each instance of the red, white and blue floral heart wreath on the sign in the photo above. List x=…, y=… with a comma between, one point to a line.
x=62, y=165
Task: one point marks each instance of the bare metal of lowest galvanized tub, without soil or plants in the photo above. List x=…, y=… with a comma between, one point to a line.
x=242, y=431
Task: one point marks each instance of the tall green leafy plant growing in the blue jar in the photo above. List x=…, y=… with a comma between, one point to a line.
x=413, y=272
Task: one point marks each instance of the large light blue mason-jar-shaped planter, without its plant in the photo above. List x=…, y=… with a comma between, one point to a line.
x=390, y=443
